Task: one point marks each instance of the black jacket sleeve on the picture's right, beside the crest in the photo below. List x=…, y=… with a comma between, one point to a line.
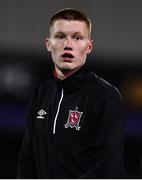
x=108, y=138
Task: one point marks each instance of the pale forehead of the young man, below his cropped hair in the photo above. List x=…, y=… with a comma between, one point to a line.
x=68, y=26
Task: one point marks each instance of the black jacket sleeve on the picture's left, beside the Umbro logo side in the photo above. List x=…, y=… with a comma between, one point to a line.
x=26, y=161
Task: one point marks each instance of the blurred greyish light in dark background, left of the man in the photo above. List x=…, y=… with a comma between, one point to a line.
x=15, y=80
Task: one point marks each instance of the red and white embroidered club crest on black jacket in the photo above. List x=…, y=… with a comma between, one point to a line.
x=74, y=119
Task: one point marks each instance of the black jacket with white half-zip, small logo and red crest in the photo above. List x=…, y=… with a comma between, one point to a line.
x=75, y=130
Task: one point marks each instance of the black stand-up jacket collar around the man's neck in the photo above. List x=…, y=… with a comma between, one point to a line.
x=76, y=81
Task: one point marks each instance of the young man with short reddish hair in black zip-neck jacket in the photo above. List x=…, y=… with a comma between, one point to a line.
x=75, y=127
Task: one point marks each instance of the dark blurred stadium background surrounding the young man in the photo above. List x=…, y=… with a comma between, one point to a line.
x=25, y=63
